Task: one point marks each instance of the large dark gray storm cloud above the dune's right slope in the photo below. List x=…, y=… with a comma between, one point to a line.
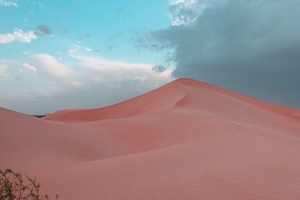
x=252, y=47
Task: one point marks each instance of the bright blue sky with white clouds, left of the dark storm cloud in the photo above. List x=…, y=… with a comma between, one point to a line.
x=50, y=48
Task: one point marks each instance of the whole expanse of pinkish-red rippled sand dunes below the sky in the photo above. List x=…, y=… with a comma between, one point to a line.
x=185, y=140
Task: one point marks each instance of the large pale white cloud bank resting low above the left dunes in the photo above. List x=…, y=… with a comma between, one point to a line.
x=94, y=82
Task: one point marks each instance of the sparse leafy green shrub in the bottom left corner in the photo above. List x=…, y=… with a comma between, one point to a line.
x=12, y=187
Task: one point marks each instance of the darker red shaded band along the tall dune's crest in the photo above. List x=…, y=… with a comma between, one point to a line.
x=163, y=96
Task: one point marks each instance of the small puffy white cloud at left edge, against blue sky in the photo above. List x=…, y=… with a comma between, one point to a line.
x=17, y=35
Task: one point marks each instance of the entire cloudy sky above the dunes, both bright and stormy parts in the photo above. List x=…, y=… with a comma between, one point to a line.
x=87, y=54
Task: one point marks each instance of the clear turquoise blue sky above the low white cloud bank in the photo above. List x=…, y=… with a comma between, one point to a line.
x=96, y=25
